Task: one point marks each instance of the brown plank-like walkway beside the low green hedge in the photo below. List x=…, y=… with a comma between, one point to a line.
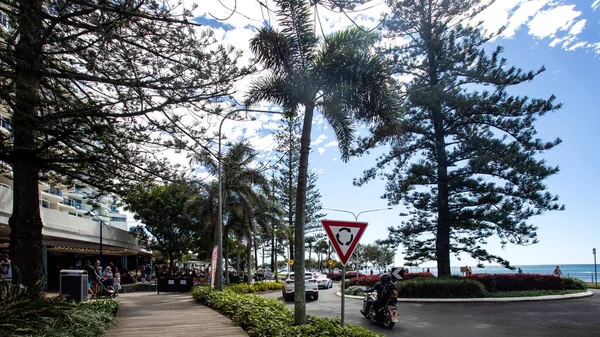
x=146, y=314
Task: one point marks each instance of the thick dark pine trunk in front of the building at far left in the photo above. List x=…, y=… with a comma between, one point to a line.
x=25, y=222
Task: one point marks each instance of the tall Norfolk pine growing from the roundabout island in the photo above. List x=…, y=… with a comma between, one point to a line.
x=467, y=161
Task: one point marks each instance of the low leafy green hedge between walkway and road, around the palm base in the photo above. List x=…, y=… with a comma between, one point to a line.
x=260, y=316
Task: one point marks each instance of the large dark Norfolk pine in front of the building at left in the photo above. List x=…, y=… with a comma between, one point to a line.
x=90, y=86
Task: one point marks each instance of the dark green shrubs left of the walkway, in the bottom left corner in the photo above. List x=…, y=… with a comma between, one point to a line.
x=29, y=312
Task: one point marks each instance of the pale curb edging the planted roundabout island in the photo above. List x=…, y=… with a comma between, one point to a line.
x=484, y=300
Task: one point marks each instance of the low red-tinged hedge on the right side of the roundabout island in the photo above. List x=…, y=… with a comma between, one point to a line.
x=520, y=282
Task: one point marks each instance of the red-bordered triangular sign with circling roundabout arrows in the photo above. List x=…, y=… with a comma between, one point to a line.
x=344, y=235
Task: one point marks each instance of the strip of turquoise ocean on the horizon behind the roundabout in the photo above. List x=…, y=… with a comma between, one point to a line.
x=584, y=272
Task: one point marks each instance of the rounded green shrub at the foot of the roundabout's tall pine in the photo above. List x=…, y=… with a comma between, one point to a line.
x=440, y=288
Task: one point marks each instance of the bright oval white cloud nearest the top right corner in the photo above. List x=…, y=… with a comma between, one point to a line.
x=547, y=23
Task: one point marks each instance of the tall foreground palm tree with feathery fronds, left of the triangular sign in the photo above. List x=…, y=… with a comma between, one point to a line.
x=342, y=77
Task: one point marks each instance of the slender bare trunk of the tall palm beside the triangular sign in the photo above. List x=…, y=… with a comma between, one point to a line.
x=299, y=264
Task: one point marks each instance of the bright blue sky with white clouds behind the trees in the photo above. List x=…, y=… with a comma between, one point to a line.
x=562, y=36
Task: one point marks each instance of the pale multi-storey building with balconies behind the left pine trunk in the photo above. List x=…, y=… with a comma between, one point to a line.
x=72, y=218
